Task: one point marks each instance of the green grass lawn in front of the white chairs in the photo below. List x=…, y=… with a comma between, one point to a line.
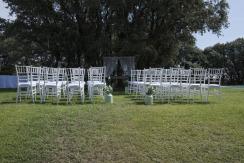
x=126, y=131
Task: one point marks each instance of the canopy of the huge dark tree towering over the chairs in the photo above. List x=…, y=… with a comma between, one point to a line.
x=82, y=32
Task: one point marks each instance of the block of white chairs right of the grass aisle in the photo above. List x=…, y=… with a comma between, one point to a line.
x=176, y=83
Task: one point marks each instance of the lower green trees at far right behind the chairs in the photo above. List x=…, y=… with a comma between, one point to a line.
x=229, y=56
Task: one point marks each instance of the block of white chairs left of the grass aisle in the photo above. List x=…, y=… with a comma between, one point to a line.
x=58, y=82
